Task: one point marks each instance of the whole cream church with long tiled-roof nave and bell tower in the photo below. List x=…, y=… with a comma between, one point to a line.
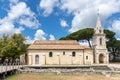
x=69, y=52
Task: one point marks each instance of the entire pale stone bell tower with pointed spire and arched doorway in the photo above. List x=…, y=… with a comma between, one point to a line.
x=99, y=41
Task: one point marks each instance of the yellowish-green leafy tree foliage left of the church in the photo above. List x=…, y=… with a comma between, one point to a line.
x=12, y=47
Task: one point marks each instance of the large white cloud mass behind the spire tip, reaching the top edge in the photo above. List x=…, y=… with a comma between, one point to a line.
x=84, y=11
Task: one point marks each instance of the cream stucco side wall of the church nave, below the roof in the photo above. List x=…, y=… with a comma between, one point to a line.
x=59, y=59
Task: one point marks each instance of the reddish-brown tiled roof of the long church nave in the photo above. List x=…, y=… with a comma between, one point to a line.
x=55, y=45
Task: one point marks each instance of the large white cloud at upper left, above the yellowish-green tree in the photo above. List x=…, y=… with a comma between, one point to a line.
x=19, y=14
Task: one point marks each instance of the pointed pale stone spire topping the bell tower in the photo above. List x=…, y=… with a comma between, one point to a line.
x=98, y=29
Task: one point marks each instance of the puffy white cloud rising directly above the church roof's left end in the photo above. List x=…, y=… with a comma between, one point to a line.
x=40, y=35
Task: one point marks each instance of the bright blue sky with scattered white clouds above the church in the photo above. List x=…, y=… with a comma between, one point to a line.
x=53, y=19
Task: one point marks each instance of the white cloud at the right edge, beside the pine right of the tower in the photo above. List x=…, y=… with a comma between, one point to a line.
x=116, y=27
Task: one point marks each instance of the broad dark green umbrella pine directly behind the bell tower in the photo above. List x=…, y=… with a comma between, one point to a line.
x=86, y=34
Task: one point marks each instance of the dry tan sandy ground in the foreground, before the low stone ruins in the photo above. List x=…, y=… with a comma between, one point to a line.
x=61, y=77
